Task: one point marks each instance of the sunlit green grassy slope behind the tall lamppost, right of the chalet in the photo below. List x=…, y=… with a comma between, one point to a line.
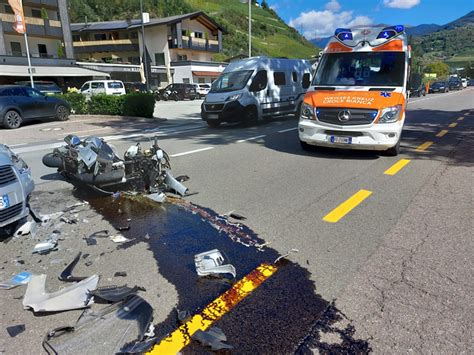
x=271, y=36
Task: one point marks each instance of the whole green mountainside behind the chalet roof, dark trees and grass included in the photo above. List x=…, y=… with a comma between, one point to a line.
x=270, y=34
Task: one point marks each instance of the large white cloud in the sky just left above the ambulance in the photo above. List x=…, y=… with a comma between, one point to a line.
x=314, y=24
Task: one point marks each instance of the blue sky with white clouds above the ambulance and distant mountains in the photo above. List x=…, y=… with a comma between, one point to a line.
x=319, y=18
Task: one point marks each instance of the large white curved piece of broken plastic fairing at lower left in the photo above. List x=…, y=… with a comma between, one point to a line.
x=73, y=297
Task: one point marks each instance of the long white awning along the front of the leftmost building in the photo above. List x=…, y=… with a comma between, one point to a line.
x=22, y=70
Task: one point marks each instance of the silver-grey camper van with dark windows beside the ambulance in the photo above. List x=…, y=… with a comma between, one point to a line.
x=255, y=88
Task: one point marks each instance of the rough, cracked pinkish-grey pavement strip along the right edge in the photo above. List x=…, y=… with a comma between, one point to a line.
x=415, y=292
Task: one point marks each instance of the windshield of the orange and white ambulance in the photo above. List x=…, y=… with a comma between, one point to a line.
x=362, y=69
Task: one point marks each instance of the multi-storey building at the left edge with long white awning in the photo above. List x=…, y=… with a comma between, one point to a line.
x=50, y=45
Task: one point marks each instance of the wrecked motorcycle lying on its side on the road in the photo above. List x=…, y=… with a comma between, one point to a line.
x=93, y=162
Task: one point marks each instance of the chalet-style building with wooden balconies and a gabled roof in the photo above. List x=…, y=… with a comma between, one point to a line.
x=178, y=48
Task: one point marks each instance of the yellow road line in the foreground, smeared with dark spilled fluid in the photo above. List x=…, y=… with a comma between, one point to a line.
x=214, y=311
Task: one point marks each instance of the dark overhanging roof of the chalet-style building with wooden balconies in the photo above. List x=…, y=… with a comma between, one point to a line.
x=200, y=16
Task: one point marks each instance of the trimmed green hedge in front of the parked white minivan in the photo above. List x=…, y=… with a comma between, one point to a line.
x=135, y=104
